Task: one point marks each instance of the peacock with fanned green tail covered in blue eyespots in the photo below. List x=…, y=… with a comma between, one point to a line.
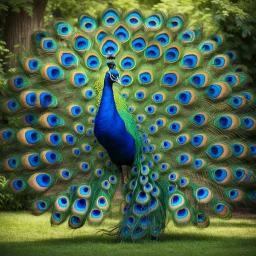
x=155, y=94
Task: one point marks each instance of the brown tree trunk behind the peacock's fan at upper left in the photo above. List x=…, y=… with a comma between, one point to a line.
x=19, y=27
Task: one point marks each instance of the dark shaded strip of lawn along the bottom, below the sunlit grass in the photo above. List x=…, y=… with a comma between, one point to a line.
x=94, y=244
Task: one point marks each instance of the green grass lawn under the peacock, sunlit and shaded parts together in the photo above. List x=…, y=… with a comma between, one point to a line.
x=24, y=234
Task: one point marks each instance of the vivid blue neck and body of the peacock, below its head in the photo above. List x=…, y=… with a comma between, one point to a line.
x=110, y=129
